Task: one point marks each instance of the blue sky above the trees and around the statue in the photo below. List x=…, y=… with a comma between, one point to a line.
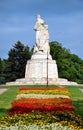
x=63, y=17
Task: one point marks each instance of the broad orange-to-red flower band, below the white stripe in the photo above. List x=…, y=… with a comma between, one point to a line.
x=21, y=106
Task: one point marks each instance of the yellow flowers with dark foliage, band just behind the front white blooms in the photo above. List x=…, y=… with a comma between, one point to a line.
x=69, y=119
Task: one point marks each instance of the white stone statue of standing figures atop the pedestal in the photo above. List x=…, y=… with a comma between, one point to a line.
x=42, y=36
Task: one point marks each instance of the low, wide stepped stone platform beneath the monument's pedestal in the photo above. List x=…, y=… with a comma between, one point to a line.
x=42, y=81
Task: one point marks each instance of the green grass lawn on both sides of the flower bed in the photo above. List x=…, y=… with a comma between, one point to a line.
x=7, y=97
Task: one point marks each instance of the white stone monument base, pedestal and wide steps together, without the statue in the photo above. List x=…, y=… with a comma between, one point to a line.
x=41, y=70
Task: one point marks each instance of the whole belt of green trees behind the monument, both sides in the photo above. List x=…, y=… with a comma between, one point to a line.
x=70, y=66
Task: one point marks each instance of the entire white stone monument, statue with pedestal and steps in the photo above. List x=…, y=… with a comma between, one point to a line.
x=41, y=69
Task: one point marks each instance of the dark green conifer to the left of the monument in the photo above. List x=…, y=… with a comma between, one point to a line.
x=18, y=56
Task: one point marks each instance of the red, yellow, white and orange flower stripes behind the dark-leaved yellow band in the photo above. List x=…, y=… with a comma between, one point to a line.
x=40, y=99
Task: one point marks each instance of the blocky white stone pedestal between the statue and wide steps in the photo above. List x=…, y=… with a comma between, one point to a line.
x=41, y=68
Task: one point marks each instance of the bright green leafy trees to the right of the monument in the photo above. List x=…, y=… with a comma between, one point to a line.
x=70, y=66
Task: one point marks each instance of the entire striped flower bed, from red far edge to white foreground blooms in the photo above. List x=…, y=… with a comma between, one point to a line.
x=40, y=108
